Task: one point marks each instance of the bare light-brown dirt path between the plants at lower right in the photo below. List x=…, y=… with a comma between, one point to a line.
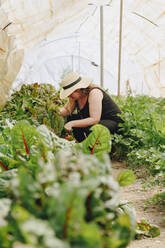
x=138, y=196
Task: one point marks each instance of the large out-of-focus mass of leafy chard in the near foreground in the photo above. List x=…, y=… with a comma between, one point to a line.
x=65, y=201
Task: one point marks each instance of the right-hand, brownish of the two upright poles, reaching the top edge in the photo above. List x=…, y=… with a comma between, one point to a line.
x=120, y=46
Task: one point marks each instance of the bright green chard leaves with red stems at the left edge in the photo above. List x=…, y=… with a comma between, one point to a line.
x=20, y=143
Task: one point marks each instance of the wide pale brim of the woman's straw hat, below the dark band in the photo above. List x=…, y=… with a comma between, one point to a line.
x=84, y=83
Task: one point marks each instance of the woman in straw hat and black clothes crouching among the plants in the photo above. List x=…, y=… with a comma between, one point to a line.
x=93, y=106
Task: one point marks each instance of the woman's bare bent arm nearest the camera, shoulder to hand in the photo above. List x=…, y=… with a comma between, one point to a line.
x=95, y=110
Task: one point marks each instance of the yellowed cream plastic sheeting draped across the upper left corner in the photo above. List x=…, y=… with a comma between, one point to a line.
x=28, y=22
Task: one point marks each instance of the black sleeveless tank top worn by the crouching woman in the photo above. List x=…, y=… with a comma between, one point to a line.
x=110, y=110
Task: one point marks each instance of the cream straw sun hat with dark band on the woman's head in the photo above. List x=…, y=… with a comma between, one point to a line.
x=72, y=82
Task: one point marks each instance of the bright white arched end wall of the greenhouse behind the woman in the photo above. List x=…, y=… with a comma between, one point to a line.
x=48, y=62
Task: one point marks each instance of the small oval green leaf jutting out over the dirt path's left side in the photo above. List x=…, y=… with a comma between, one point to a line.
x=126, y=177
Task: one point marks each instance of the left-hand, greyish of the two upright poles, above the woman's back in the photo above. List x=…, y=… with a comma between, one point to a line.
x=101, y=47
